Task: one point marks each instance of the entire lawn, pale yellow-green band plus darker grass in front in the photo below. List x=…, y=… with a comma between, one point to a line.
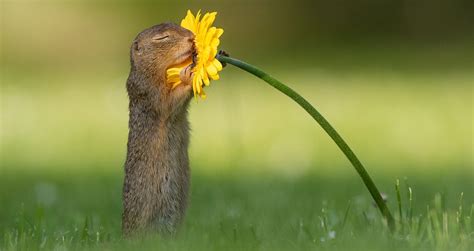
x=277, y=182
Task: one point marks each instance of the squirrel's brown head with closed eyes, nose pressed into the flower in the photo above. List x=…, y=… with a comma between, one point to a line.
x=153, y=51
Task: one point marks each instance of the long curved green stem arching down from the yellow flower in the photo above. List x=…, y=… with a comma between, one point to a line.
x=325, y=125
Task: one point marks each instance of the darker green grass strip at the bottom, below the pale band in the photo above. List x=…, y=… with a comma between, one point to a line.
x=81, y=210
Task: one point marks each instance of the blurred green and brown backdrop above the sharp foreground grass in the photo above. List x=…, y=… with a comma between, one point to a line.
x=395, y=78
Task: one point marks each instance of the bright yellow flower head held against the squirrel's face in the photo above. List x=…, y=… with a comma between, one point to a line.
x=206, y=40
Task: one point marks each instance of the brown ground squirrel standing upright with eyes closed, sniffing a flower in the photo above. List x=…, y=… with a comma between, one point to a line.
x=156, y=181
